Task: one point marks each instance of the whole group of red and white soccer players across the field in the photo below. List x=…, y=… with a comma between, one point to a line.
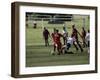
x=68, y=40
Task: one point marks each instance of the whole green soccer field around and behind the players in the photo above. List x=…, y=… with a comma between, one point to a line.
x=39, y=55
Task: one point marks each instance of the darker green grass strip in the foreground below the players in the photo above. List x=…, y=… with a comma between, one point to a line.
x=40, y=56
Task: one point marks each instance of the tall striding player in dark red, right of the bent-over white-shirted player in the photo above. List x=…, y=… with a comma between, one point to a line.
x=75, y=35
